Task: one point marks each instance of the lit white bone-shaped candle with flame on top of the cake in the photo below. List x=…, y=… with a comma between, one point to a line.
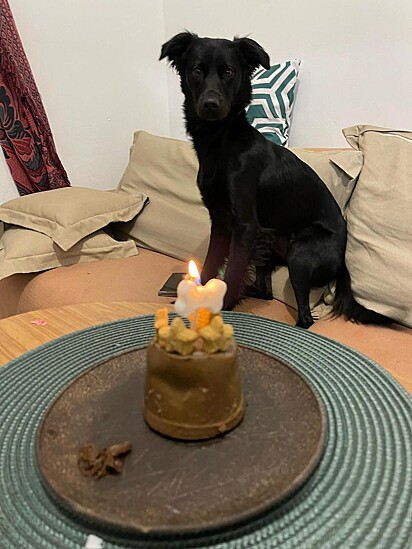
x=191, y=295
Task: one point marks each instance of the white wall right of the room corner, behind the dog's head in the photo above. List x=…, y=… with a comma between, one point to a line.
x=356, y=56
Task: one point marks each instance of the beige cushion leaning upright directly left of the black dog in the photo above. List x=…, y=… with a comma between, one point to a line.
x=174, y=221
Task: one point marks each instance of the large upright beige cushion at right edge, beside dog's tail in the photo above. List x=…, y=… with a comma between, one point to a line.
x=379, y=218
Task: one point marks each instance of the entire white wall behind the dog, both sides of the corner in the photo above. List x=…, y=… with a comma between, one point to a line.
x=96, y=66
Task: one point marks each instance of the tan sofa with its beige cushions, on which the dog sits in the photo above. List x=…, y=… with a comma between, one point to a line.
x=77, y=245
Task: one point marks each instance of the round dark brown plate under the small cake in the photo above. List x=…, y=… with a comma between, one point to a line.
x=172, y=487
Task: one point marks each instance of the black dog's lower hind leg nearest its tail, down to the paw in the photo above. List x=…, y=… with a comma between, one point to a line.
x=300, y=274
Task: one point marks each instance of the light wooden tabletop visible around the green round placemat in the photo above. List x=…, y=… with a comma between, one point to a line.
x=23, y=332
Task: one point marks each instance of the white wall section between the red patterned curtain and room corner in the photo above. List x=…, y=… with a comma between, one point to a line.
x=96, y=65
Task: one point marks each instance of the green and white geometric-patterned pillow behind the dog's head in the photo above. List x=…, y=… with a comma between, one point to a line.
x=273, y=94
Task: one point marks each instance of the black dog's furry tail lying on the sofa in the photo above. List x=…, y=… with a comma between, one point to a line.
x=344, y=303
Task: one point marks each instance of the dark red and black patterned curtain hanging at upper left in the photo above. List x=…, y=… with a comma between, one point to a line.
x=25, y=135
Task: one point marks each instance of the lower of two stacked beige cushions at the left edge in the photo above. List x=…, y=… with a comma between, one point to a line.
x=26, y=251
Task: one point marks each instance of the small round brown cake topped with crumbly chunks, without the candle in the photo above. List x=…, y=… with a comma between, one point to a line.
x=196, y=395
